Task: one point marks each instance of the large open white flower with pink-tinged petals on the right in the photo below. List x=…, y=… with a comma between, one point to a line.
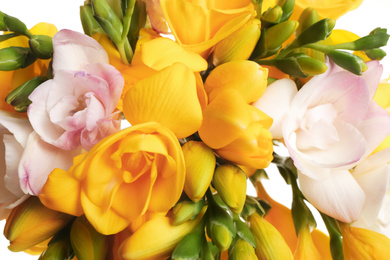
x=330, y=125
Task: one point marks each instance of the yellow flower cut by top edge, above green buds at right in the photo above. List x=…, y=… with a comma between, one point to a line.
x=332, y=9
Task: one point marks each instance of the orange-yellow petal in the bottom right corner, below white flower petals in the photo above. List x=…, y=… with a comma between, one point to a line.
x=360, y=243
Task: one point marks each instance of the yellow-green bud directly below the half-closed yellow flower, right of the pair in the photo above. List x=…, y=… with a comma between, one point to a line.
x=230, y=182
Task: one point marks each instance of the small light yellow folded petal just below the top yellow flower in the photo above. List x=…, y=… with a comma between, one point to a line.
x=163, y=52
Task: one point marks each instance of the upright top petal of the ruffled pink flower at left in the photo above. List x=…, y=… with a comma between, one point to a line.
x=73, y=50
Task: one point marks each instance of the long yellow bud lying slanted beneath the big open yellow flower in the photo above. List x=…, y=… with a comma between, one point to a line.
x=156, y=239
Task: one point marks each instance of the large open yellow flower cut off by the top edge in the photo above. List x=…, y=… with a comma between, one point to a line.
x=199, y=25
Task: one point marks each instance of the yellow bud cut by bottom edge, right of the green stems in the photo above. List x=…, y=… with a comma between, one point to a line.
x=269, y=242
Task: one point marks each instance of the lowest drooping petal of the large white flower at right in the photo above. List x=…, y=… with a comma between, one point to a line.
x=338, y=196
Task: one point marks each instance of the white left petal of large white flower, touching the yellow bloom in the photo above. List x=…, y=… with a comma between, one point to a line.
x=275, y=102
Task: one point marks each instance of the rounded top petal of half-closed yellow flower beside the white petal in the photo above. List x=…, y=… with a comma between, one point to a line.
x=248, y=77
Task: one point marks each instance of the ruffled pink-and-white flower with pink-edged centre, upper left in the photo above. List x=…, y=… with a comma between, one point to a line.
x=77, y=107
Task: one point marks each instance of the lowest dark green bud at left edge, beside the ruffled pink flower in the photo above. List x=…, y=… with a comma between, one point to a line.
x=19, y=96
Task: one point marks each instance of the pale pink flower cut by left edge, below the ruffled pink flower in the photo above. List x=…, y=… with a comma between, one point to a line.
x=25, y=160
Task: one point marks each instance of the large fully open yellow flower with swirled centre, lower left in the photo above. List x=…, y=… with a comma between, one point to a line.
x=126, y=175
